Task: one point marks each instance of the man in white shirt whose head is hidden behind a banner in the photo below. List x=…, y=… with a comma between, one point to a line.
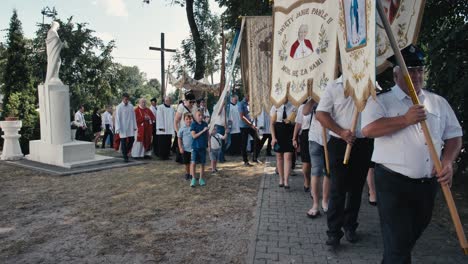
x=335, y=112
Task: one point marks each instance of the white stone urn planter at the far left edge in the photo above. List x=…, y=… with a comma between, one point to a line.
x=11, y=146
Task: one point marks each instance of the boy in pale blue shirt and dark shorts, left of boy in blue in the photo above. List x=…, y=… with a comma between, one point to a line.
x=185, y=144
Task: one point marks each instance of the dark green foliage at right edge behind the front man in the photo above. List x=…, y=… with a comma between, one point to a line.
x=444, y=37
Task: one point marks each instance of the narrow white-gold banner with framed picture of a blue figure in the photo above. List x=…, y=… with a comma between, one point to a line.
x=356, y=38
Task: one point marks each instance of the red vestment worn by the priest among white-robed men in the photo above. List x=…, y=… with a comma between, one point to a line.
x=145, y=126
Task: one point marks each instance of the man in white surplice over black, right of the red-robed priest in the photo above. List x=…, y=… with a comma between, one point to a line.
x=165, y=128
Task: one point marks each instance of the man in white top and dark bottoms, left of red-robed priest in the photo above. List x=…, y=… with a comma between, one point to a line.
x=125, y=125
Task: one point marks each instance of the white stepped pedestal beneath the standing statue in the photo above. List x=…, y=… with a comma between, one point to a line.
x=56, y=146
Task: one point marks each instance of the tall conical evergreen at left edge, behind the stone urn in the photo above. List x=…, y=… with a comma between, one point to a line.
x=19, y=94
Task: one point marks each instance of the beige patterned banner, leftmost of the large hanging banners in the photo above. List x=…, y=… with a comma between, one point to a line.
x=256, y=61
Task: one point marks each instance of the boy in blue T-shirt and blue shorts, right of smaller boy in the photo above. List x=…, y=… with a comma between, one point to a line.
x=199, y=130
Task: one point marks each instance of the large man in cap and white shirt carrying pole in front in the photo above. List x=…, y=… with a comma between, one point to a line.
x=404, y=172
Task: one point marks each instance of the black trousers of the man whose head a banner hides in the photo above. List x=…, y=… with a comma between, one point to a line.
x=347, y=181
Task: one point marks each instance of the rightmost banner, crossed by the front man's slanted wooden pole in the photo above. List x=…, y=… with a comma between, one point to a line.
x=405, y=18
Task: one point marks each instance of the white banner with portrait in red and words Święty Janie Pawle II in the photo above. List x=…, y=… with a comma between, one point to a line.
x=304, y=49
